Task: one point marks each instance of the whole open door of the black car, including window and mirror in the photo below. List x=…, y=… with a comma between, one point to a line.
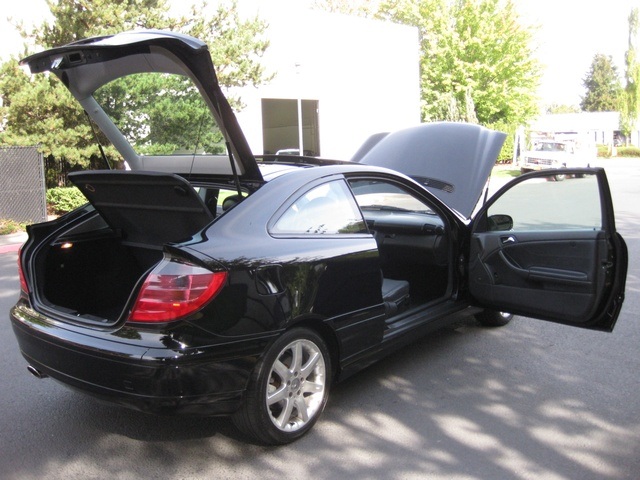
x=550, y=250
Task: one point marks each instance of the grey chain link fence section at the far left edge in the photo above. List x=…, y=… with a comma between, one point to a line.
x=22, y=188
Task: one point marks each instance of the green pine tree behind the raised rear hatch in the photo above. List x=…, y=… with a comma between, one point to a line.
x=39, y=110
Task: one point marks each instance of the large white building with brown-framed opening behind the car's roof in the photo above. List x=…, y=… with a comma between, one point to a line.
x=346, y=77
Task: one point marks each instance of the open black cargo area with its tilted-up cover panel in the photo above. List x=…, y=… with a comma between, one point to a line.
x=89, y=272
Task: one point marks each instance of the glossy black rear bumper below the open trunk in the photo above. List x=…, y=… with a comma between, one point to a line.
x=158, y=379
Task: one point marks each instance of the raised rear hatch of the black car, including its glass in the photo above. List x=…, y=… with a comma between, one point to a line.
x=124, y=63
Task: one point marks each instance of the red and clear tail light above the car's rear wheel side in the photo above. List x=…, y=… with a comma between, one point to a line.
x=174, y=290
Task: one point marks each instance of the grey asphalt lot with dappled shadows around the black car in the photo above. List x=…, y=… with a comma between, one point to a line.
x=531, y=400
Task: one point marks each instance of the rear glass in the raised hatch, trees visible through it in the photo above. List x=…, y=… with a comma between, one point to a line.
x=161, y=114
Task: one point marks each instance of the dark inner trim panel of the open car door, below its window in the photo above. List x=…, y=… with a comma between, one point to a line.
x=542, y=274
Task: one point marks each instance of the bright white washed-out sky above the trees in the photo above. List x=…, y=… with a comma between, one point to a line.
x=570, y=33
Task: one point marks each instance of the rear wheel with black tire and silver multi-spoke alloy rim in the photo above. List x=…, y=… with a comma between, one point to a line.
x=287, y=390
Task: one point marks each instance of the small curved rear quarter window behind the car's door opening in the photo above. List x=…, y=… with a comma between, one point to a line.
x=327, y=209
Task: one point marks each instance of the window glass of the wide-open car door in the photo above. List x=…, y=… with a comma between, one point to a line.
x=543, y=203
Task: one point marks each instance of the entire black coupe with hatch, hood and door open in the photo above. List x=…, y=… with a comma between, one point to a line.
x=201, y=279
